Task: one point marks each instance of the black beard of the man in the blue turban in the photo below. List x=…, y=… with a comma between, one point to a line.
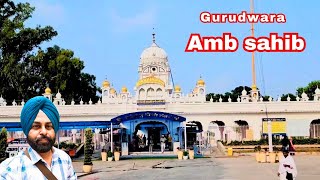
x=41, y=147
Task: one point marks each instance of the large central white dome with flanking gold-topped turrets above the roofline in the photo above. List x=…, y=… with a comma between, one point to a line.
x=154, y=83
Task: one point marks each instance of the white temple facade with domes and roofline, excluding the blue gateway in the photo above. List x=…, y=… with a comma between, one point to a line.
x=154, y=91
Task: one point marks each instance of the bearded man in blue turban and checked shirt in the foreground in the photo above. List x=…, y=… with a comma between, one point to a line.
x=40, y=123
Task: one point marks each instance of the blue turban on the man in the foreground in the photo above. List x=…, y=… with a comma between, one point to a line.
x=31, y=110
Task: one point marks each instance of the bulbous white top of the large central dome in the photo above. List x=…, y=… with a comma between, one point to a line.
x=153, y=54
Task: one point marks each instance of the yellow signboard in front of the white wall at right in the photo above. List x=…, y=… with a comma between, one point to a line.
x=278, y=125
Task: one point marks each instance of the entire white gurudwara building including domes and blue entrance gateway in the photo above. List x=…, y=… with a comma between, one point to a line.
x=156, y=107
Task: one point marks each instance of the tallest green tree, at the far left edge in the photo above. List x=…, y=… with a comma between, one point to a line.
x=16, y=43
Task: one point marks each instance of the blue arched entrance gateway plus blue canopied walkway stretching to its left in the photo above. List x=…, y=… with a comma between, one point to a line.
x=129, y=131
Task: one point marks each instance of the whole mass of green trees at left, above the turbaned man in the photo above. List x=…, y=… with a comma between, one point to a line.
x=26, y=70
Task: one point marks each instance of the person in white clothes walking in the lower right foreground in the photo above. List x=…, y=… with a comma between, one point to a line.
x=287, y=168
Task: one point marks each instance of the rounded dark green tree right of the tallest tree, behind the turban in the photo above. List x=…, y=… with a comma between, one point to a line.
x=61, y=71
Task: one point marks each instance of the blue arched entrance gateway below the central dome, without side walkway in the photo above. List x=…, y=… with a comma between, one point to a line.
x=136, y=131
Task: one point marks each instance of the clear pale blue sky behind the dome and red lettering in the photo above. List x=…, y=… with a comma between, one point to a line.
x=110, y=35
